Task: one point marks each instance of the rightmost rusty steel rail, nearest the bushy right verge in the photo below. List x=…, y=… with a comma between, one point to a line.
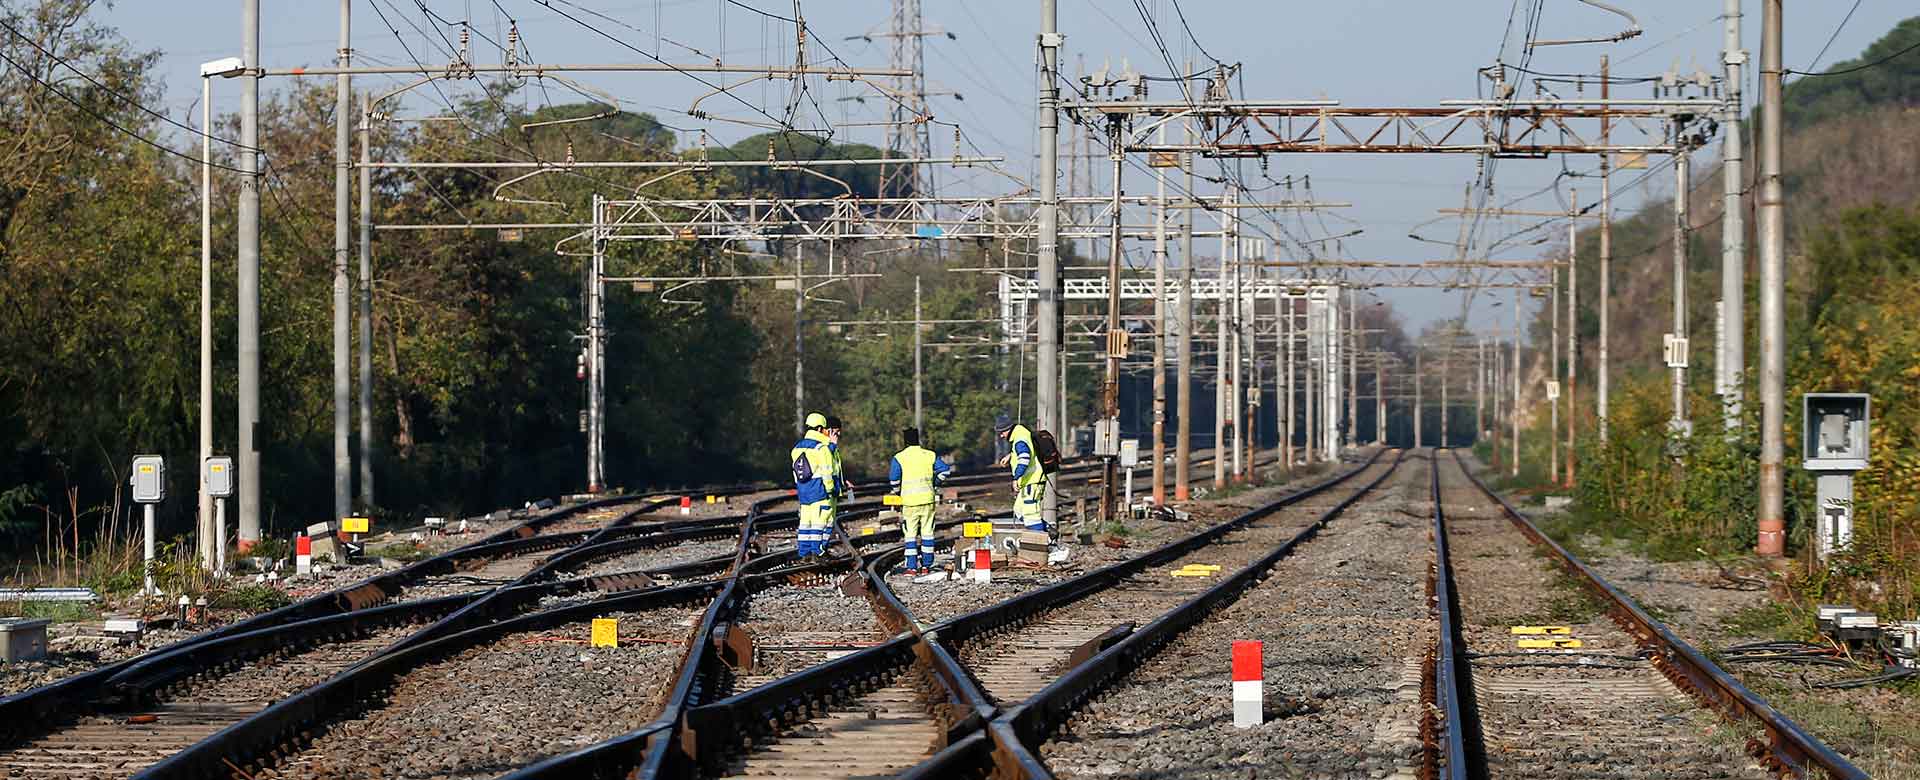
x=1788, y=748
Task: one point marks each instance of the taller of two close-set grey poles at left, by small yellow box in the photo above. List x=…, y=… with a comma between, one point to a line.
x=343, y=295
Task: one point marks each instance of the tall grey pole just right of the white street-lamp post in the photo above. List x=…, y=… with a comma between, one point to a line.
x=249, y=280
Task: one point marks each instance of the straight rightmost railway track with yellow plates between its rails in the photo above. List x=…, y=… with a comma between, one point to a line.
x=1631, y=702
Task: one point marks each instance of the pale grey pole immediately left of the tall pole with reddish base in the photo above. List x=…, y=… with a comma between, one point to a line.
x=1733, y=341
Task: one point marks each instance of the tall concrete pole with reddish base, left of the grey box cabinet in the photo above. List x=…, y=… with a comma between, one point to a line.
x=1773, y=293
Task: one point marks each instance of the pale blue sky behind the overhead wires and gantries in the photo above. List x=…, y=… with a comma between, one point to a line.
x=1362, y=53
